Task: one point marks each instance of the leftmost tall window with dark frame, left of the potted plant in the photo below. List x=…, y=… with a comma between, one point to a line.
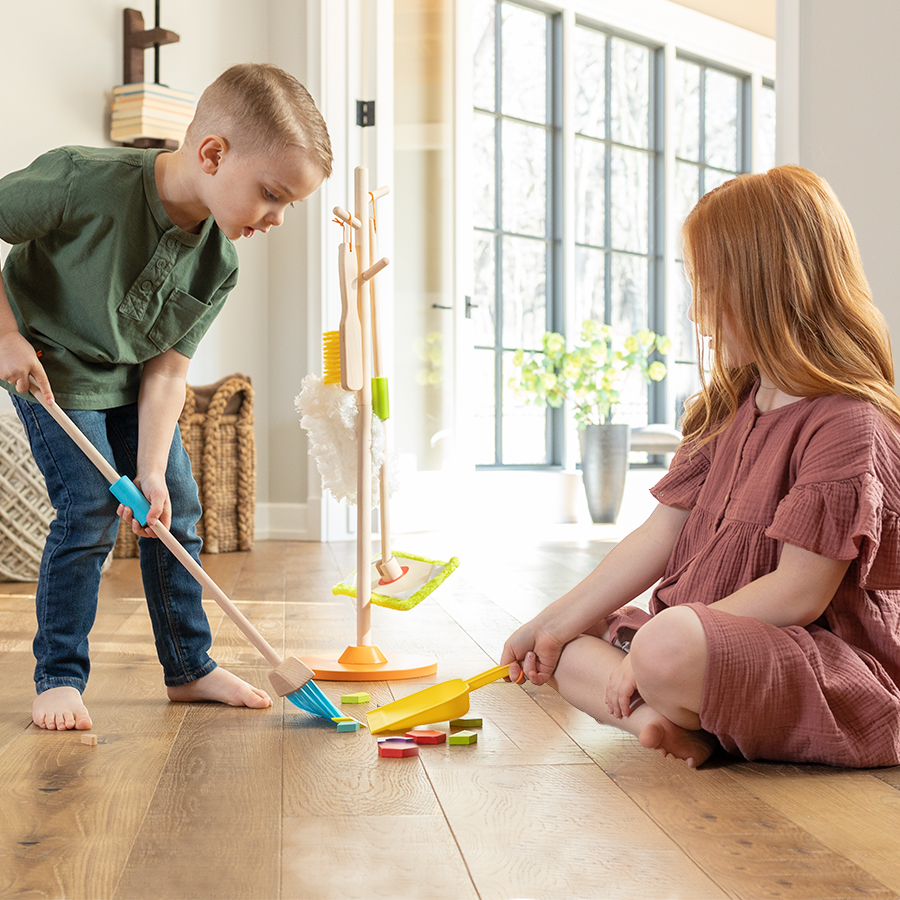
x=513, y=204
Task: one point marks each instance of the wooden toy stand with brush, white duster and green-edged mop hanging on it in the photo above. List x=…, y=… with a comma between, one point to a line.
x=401, y=580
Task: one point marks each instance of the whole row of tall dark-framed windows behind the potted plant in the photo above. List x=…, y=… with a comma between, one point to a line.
x=617, y=251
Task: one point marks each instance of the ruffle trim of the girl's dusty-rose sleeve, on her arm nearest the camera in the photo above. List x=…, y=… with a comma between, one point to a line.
x=844, y=520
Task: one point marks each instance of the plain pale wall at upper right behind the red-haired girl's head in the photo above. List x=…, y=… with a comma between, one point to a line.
x=838, y=71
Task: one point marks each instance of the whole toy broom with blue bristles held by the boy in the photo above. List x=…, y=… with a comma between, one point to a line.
x=290, y=678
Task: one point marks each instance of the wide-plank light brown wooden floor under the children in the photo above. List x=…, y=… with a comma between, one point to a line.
x=200, y=801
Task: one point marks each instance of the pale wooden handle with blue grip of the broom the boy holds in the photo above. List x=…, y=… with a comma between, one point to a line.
x=128, y=491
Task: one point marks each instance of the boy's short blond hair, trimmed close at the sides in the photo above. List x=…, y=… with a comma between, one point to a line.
x=260, y=108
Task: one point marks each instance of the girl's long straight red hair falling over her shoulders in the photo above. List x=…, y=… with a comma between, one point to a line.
x=777, y=252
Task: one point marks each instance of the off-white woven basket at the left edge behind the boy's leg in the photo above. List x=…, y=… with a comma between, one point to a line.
x=25, y=509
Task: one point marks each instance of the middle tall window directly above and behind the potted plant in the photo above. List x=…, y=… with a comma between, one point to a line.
x=616, y=171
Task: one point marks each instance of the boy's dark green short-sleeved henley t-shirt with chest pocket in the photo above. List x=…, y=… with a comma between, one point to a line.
x=99, y=278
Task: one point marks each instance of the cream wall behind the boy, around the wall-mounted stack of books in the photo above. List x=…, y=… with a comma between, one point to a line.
x=58, y=63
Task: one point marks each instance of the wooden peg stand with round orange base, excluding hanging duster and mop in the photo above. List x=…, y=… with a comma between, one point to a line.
x=364, y=661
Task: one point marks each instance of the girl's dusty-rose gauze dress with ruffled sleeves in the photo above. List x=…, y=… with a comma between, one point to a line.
x=822, y=474
